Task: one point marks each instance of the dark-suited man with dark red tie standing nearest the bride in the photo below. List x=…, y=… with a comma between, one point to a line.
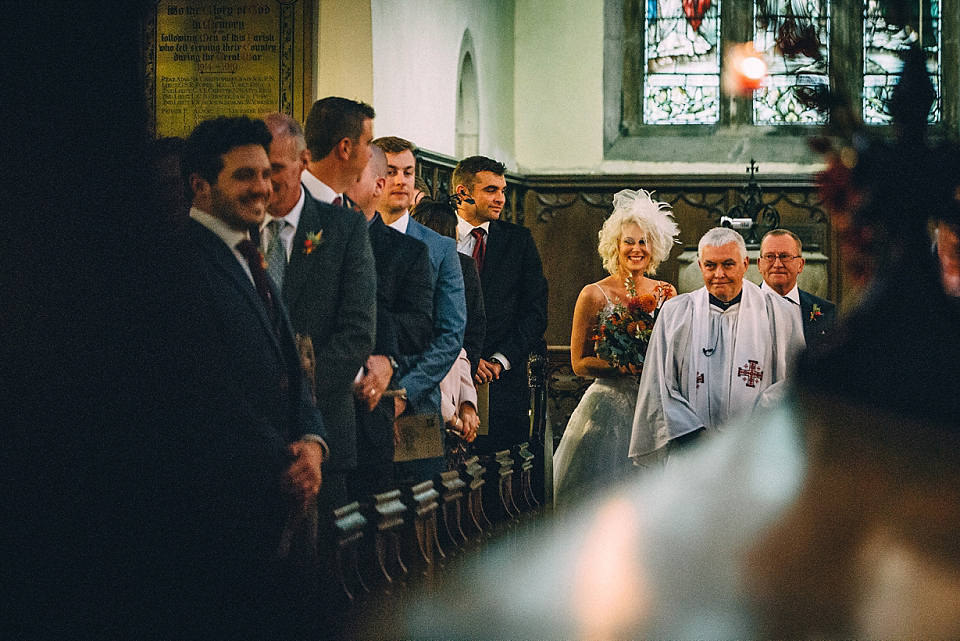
x=514, y=294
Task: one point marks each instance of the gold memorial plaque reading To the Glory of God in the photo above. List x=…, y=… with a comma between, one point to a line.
x=206, y=59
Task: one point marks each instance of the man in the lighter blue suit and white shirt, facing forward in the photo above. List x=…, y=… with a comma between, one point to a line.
x=422, y=380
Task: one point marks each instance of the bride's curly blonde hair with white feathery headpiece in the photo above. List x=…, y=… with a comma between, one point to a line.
x=652, y=217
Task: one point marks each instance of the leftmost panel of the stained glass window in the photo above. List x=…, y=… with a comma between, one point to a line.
x=682, y=62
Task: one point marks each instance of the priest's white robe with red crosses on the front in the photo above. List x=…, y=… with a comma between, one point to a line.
x=705, y=365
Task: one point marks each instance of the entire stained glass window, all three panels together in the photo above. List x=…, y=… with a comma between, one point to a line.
x=683, y=44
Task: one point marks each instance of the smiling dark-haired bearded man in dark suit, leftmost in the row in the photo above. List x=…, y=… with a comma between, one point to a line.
x=268, y=464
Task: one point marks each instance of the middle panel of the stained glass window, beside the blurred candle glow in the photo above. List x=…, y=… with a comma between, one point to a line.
x=793, y=36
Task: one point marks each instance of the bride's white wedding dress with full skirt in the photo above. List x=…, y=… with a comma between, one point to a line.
x=592, y=454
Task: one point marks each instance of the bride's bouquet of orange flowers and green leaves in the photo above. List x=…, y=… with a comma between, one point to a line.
x=623, y=332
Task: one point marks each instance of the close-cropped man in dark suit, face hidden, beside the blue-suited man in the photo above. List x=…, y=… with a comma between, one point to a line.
x=404, y=325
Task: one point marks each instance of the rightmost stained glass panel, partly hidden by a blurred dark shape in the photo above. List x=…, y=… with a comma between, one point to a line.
x=883, y=37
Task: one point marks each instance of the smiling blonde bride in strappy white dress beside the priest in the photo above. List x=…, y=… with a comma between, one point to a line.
x=634, y=240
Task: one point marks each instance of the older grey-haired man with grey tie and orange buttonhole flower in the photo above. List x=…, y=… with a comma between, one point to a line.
x=320, y=256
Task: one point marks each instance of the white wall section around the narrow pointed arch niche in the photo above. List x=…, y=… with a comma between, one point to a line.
x=416, y=56
